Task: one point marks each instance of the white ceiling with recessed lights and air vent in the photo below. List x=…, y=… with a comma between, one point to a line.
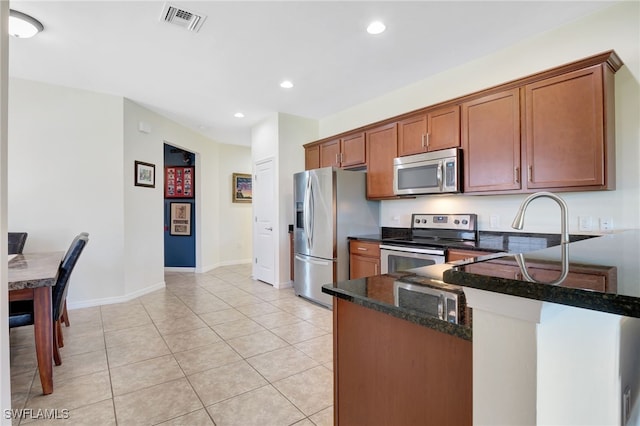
x=245, y=49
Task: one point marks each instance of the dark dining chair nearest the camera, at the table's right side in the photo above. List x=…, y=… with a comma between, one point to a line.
x=21, y=313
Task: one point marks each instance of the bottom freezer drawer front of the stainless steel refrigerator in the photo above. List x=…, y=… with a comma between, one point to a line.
x=311, y=274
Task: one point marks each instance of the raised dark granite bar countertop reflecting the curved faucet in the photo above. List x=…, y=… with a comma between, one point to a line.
x=603, y=274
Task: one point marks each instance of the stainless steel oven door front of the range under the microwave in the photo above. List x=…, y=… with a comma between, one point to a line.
x=399, y=258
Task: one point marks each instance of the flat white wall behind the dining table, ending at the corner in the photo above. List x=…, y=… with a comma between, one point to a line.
x=66, y=175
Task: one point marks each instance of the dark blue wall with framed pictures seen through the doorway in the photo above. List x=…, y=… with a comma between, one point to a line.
x=179, y=250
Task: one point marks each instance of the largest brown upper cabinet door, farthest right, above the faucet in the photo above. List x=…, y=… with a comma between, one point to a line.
x=565, y=130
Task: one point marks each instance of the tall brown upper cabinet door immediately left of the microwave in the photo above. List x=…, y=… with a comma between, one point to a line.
x=381, y=150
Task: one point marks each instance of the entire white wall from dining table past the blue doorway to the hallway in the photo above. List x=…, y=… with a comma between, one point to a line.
x=71, y=169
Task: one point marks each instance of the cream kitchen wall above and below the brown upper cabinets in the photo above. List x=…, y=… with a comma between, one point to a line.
x=616, y=28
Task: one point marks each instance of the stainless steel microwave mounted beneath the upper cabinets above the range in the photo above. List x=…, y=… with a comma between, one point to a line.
x=434, y=172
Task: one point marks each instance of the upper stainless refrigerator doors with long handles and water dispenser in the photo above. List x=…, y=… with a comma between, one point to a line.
x=315, y=207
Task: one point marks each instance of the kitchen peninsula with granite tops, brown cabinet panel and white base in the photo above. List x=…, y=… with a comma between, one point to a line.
x=542, y=353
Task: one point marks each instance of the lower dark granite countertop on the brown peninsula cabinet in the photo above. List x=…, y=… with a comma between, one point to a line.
x=377, y=293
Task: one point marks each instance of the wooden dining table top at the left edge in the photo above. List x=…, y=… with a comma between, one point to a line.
x=31, y=270
